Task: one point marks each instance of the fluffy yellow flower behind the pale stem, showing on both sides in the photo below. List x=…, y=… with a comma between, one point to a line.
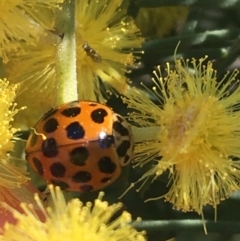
x=106, y=38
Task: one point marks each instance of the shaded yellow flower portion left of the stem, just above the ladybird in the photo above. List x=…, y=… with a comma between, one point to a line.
x=38, y=85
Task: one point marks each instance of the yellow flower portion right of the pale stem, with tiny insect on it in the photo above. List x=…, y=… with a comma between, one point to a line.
x=105, y=38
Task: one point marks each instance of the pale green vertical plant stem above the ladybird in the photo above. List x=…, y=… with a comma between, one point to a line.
x=66, y=73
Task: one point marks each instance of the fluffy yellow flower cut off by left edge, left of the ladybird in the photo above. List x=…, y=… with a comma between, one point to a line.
x=10, y=176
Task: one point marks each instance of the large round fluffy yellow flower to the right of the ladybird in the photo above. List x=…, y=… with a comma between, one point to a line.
x=199, y=131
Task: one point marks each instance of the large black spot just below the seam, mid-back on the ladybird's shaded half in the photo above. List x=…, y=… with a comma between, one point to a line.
x=79, y=156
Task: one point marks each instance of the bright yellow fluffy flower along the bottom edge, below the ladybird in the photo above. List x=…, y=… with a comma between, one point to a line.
x=72, y=221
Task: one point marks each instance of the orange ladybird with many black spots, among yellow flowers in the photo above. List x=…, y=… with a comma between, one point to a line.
x=80, y=146
